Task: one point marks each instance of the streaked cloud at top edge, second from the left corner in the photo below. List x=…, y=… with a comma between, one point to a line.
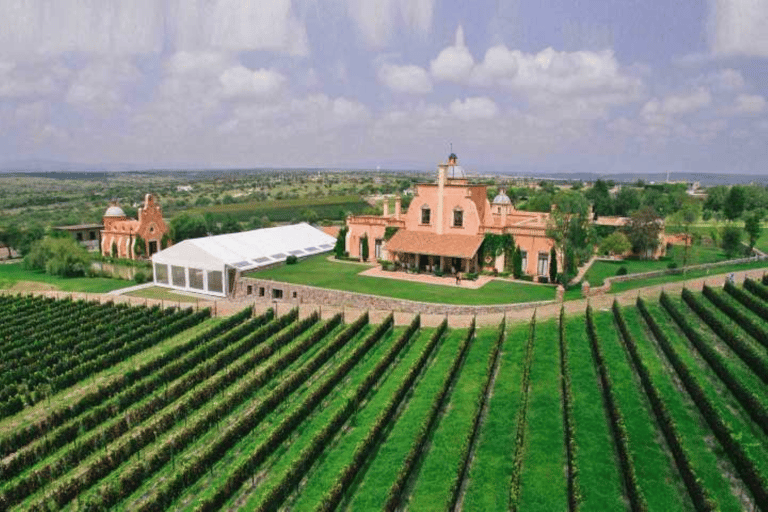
x=237, y=25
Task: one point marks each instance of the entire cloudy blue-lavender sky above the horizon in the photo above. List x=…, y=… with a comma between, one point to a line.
x=514, y=85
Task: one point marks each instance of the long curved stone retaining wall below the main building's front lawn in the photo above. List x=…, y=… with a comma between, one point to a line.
x=268, y=290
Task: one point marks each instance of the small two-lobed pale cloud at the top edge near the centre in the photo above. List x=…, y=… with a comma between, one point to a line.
x=377, y=20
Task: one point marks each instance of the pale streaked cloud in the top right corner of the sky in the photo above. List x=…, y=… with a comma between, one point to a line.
x=737, y=27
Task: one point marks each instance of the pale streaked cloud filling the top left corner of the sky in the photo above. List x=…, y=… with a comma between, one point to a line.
x=94, y=26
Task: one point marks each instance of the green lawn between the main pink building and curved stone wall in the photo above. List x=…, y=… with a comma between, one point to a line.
x=318, y=271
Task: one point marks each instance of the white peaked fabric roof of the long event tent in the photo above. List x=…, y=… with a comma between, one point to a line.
x=249, y=249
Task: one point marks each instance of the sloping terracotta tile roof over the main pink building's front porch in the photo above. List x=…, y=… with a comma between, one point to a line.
x=420, y=242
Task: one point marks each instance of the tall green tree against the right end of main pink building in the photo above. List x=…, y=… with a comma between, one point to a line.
x=569, y=227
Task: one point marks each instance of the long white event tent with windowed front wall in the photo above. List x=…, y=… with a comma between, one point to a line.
x=201, y=264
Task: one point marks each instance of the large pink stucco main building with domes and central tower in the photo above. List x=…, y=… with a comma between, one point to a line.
x=445, y=225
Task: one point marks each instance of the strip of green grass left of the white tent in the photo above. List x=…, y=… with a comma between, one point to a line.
x=12, y=274
